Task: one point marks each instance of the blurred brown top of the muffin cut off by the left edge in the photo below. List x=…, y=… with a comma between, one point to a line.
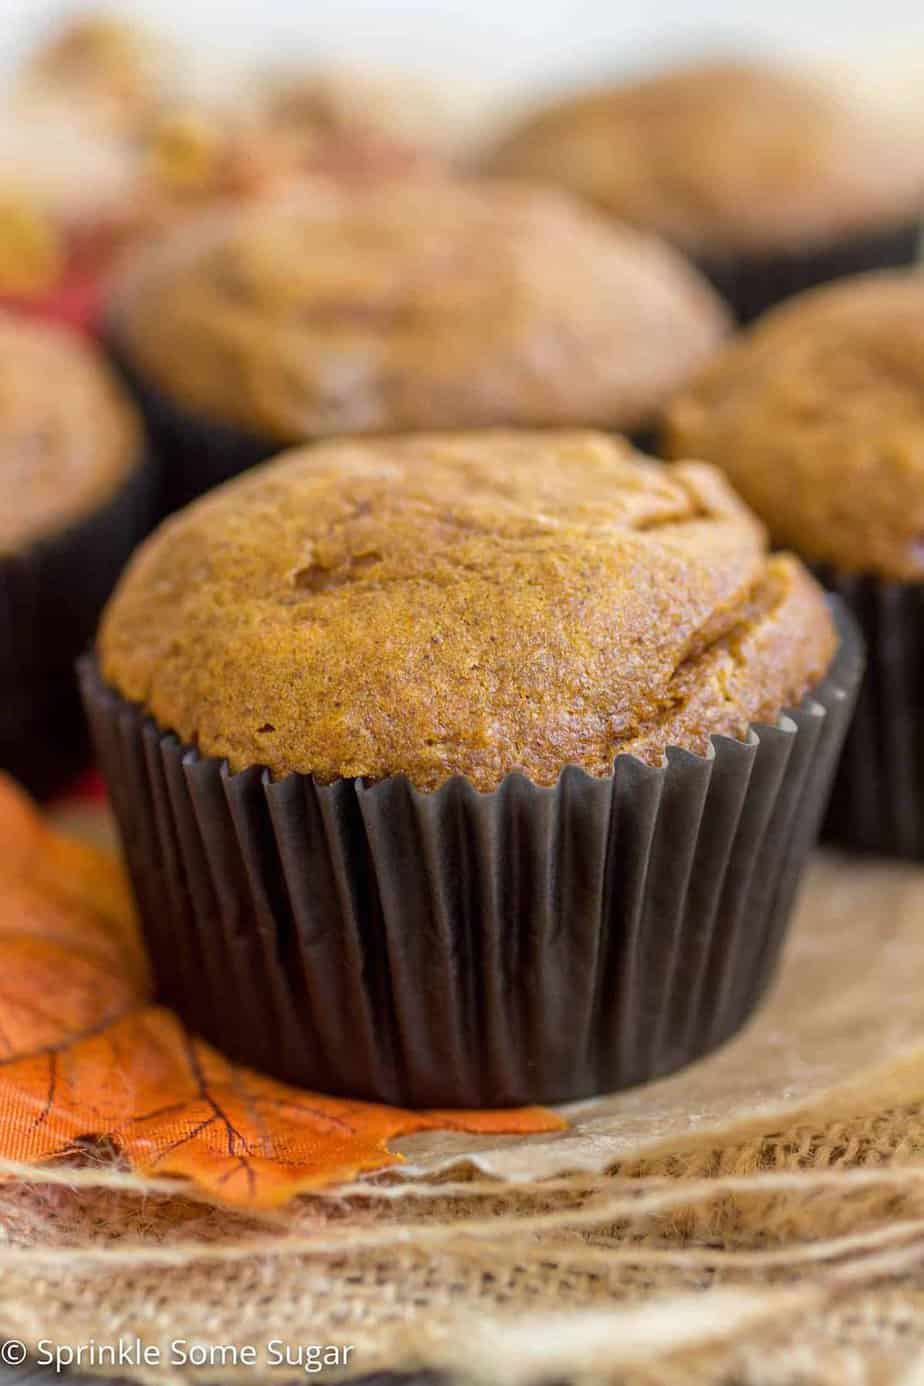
x=67, y=435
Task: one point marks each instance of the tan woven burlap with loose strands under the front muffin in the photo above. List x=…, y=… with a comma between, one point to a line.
x=756, y=1220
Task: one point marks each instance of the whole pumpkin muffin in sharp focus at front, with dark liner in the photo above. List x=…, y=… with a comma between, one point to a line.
x=458, y=674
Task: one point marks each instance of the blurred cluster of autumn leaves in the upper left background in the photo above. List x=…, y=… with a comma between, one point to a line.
x=113, y=138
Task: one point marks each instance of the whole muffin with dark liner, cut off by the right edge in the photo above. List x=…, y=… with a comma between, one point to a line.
x=818, y=418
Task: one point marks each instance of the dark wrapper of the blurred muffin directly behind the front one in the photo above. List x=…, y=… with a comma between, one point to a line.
x=202, y=454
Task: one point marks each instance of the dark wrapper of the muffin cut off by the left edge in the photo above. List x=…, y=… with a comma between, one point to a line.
x=51, y=599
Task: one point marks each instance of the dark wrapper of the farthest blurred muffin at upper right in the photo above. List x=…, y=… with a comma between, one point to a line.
x=754, y=285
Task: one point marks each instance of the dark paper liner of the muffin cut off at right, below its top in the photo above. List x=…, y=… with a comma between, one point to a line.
x=878, y=800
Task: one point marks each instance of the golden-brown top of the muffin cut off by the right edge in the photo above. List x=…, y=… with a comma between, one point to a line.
x=818, y=416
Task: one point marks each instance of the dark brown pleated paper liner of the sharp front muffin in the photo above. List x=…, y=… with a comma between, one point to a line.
x=456, y=949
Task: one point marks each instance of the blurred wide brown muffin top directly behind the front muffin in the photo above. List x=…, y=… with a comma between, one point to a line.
x=423, y=304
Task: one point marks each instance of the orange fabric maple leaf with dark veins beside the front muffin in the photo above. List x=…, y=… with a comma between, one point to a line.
x=85, y=1055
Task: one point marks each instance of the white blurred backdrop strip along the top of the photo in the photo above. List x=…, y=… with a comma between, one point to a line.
x=509, y=44
